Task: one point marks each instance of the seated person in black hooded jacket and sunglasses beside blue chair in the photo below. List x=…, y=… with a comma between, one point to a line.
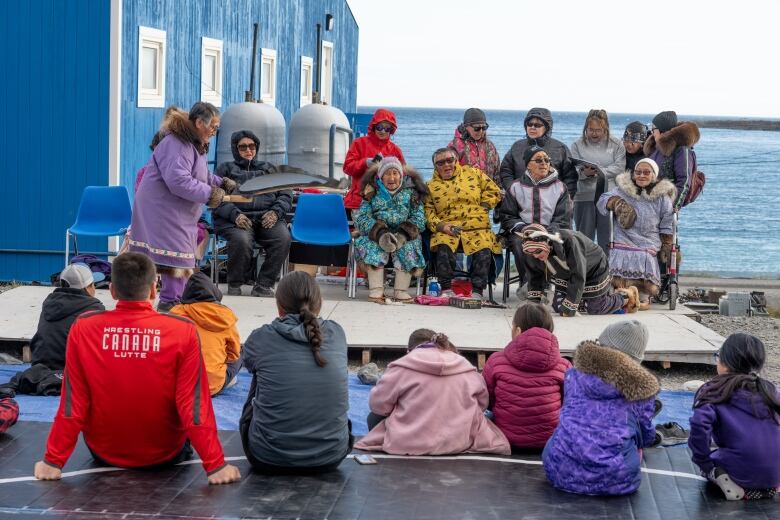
x=262, y=220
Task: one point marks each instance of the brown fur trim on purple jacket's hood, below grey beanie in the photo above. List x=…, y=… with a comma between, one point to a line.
x=617, y=370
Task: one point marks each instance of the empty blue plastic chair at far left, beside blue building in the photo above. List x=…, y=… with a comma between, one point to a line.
x=104, y=211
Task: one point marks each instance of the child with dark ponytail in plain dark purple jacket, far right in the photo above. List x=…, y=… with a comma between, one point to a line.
x=740, y=411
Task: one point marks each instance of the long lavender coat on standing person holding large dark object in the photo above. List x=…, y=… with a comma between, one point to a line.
x=169, y=203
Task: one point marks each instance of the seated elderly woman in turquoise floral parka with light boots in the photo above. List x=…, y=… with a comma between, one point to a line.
x=390, y=220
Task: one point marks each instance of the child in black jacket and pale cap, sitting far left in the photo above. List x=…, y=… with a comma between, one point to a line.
x=74, y=296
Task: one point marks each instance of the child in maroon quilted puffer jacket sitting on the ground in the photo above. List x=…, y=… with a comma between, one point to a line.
x=525, y=380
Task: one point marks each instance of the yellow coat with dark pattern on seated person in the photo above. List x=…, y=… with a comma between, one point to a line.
x=463, y=200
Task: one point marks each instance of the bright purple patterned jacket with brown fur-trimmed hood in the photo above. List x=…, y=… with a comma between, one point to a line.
x=607, y=416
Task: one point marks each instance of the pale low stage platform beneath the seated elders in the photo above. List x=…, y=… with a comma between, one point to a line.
x=674, y=336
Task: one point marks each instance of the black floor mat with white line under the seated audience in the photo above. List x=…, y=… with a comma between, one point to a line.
x=393, y=489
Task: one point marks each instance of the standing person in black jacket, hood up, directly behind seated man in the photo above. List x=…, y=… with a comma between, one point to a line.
x=538, y=130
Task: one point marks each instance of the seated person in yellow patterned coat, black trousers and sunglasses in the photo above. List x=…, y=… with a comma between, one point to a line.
x=457, y=209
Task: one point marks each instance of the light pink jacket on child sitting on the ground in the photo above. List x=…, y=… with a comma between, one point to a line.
x=435, y=401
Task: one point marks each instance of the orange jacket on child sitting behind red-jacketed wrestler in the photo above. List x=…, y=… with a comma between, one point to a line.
x=219, y=340
